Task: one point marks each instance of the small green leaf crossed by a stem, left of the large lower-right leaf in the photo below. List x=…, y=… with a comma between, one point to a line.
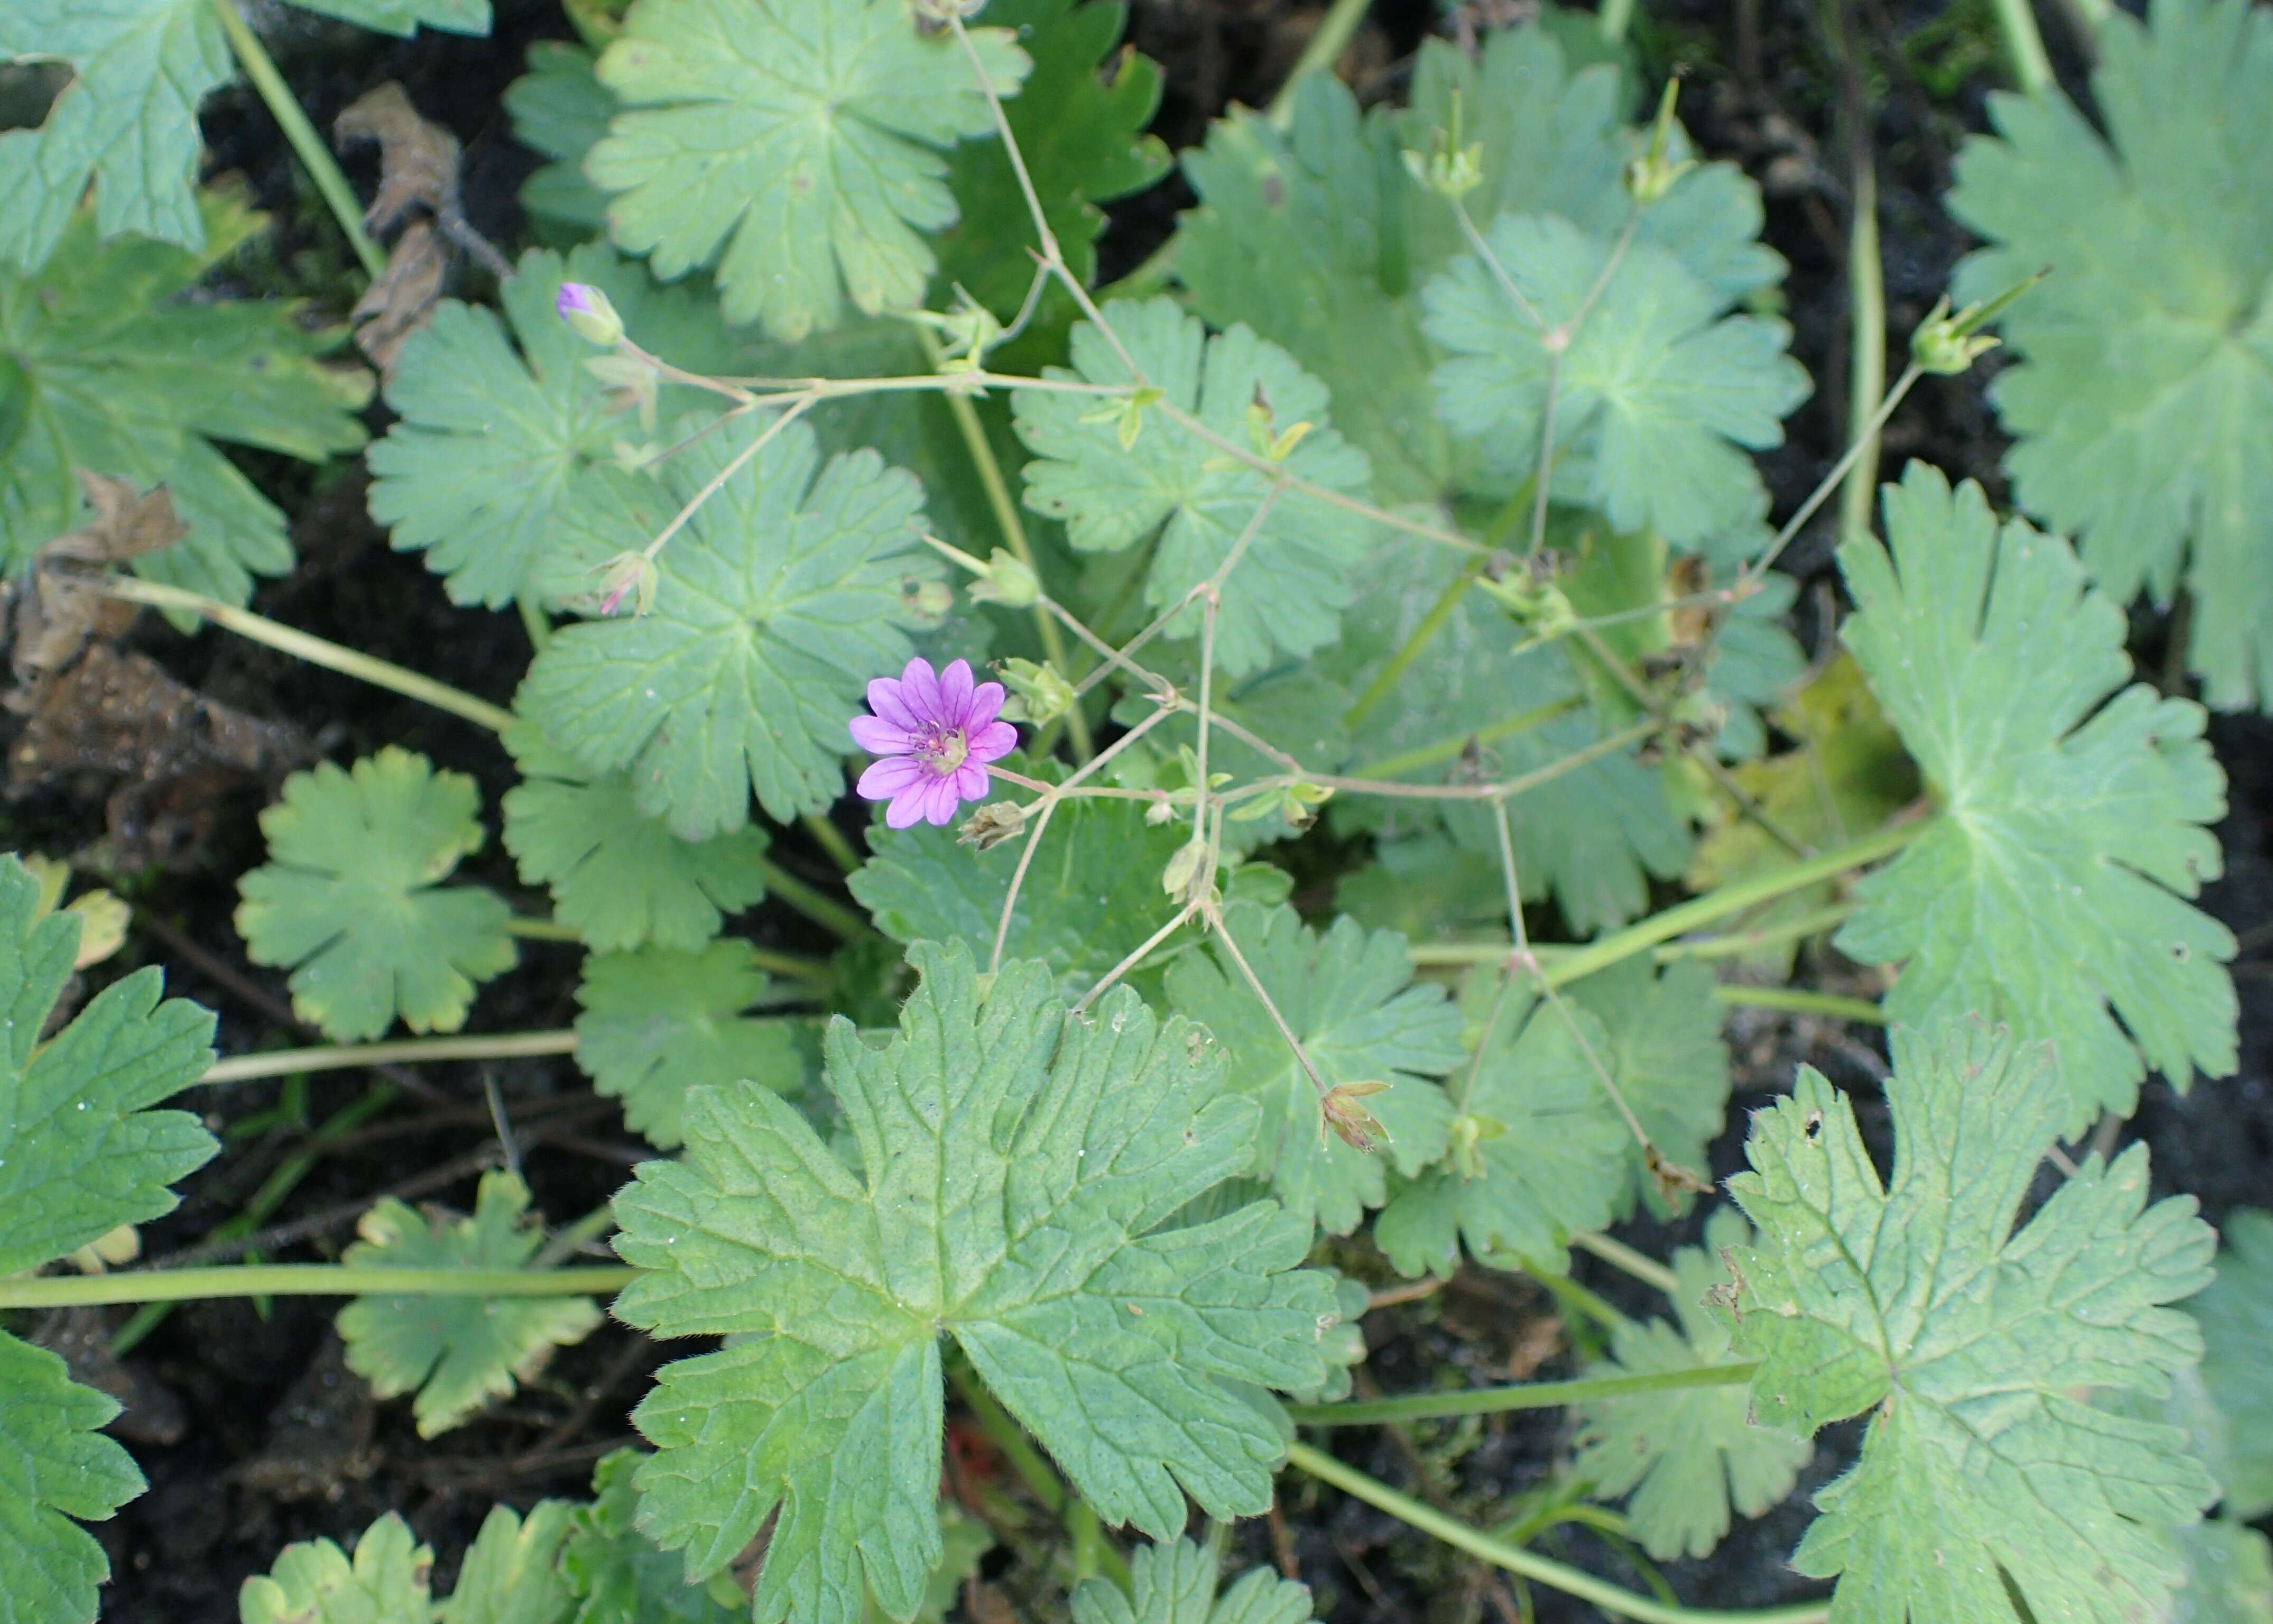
x=1685, y=1455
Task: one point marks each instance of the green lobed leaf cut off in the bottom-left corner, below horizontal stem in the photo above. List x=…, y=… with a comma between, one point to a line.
x=53, y=1466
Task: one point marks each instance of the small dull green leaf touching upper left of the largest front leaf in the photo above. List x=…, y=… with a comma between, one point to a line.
x=663, y=1022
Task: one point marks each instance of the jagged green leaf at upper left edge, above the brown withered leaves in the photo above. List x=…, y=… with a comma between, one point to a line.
x=108, y=363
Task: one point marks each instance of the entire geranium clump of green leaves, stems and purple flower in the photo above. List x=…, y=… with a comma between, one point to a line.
x=1399, y=524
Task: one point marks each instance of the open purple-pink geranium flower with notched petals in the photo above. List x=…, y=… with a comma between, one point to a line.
x=938, y=734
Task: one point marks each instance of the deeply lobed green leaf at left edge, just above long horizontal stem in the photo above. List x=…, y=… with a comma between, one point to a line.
x=81, y=1150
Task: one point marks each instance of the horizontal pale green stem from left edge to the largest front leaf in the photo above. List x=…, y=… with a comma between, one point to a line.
x=303, y=1279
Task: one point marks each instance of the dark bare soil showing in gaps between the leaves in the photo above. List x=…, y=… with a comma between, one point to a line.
x=258, y=1436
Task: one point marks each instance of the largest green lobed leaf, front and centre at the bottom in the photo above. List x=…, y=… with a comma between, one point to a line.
x=1017, y=1175
